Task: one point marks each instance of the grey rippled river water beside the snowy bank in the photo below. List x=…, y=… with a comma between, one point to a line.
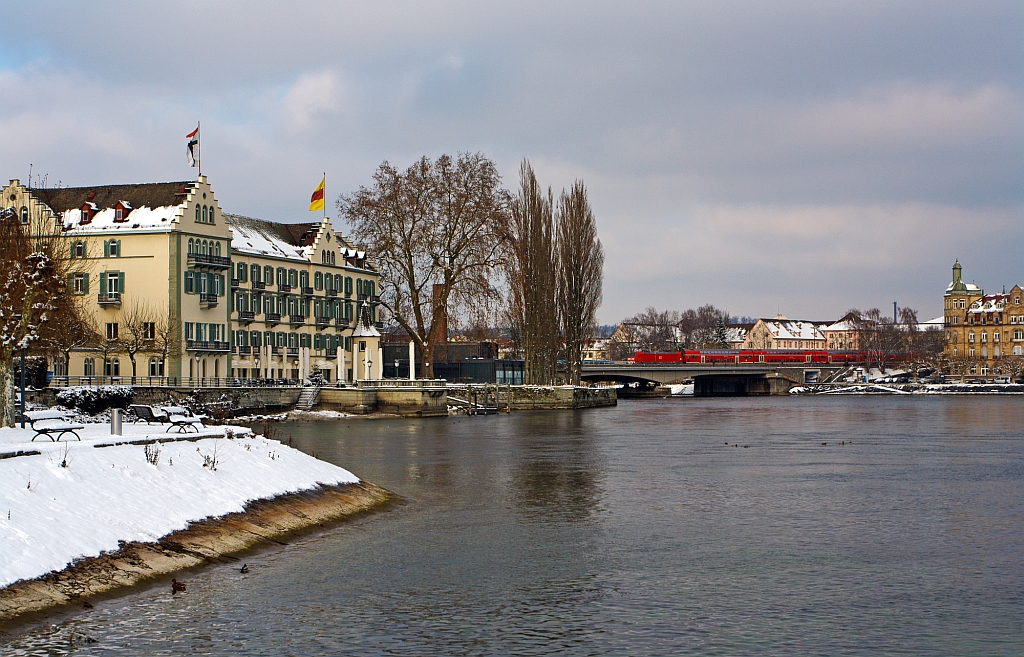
x=735, y=527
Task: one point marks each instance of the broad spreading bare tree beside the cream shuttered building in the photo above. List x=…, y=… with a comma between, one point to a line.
x=438, y=224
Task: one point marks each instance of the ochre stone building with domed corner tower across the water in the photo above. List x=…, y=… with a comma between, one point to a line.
x=983, y=331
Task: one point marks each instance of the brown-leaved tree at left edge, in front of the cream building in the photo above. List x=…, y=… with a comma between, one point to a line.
x=35, y=268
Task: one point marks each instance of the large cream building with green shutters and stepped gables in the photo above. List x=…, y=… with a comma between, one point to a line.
x=162, y=286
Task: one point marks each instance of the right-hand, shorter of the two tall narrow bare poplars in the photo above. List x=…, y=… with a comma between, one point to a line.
x=581, y=273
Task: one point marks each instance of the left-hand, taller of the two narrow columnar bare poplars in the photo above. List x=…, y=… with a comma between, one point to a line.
x=531, y=268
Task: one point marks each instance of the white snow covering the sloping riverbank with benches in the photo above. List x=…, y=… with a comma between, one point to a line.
x=52, y=515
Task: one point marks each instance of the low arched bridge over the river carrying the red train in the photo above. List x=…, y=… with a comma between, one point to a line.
x=716, y=380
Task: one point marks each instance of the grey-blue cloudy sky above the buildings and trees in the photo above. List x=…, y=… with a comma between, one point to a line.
x=801, y=158
